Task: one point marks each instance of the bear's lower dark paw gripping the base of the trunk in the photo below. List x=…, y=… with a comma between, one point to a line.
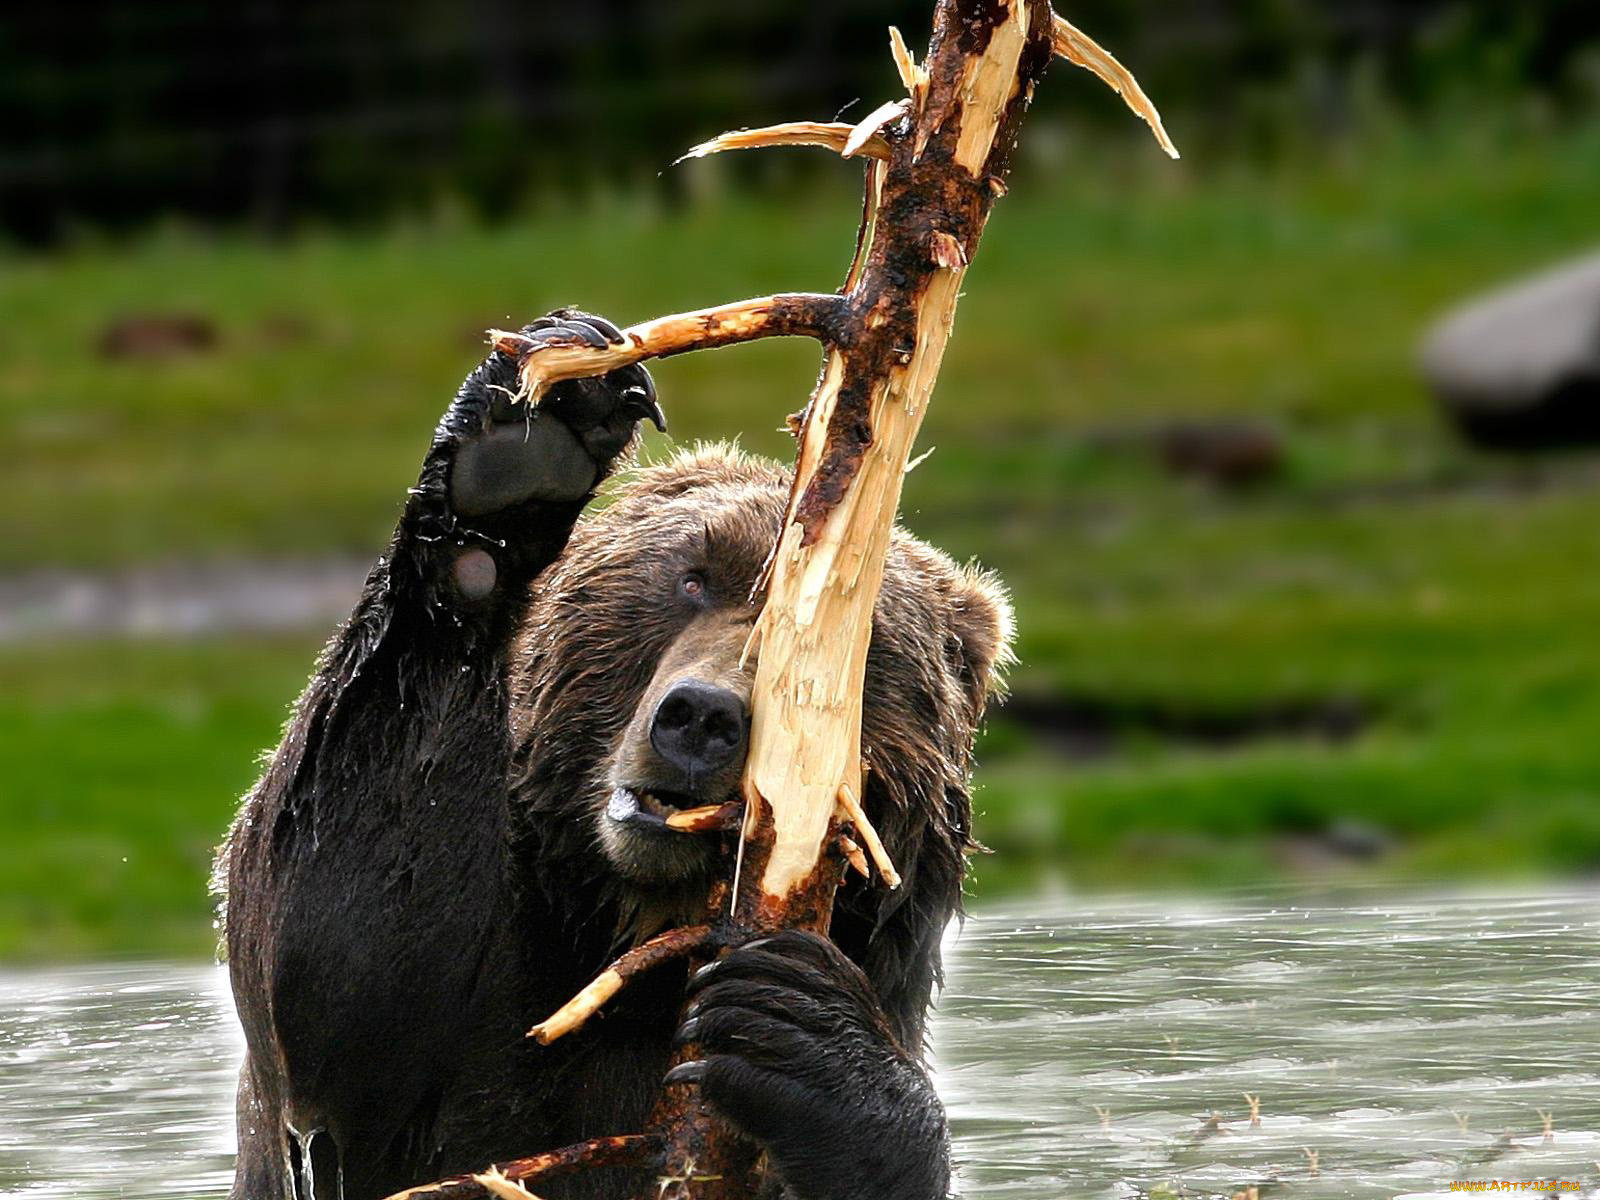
x=794, y=1050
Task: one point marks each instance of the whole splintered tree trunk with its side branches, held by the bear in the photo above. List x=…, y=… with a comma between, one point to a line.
x=935, y=166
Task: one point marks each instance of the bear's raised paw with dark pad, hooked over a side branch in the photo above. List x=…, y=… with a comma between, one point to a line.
x=508, y=454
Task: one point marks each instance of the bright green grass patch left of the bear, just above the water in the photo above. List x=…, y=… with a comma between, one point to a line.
x=122, y=767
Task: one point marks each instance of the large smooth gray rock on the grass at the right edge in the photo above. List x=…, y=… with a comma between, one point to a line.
x=1519, y=369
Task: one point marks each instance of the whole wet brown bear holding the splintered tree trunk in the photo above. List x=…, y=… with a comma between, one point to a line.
x=465, y=823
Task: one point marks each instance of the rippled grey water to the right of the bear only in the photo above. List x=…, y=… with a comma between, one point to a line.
x=1393, y=1049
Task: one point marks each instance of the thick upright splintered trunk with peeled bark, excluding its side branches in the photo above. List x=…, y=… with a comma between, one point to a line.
x=806, y=734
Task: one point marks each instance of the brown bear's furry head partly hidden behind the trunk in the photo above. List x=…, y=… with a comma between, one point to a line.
x=631, y=682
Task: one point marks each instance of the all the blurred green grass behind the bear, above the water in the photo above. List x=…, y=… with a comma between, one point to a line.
x=1452, y=596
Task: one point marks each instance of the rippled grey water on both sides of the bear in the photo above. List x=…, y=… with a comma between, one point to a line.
x=1086, y=1049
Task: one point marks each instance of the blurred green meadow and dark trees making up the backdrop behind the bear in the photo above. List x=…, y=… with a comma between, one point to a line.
x=1278, y=620
